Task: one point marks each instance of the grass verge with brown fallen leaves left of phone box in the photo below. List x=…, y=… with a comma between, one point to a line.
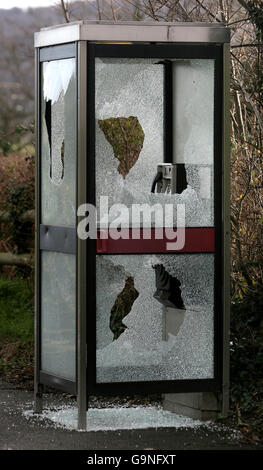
x=16, y=331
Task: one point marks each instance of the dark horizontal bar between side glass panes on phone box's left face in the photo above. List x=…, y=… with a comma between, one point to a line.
x=60, y=239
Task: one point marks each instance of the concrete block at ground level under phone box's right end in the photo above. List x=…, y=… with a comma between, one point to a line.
x=203, y=406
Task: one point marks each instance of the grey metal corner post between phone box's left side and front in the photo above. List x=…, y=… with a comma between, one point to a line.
x=81, y=244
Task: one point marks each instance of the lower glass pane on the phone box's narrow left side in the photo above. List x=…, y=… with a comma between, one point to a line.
x=58, y=328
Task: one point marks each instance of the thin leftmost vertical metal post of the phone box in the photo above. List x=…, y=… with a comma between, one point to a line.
x=38, y=388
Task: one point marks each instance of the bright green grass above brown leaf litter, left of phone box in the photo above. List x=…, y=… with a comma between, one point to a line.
x=16, y=310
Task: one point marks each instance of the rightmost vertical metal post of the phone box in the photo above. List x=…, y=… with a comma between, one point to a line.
x=226, y=227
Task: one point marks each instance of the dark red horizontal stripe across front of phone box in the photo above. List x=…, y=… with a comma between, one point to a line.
x=197, y=240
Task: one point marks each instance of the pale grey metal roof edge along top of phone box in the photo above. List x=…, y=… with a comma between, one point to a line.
x=165, y=32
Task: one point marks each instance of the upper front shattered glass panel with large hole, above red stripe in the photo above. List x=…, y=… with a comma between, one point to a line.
x=129, y=134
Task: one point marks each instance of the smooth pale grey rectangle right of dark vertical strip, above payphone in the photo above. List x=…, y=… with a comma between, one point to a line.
x=193, y=96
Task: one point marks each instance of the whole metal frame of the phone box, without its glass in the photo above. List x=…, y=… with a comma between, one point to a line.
x=85, y=384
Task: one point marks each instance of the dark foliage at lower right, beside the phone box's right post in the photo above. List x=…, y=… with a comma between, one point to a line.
x=246, y=354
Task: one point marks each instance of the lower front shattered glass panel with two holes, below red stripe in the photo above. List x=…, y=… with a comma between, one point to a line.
x=165, y=330
